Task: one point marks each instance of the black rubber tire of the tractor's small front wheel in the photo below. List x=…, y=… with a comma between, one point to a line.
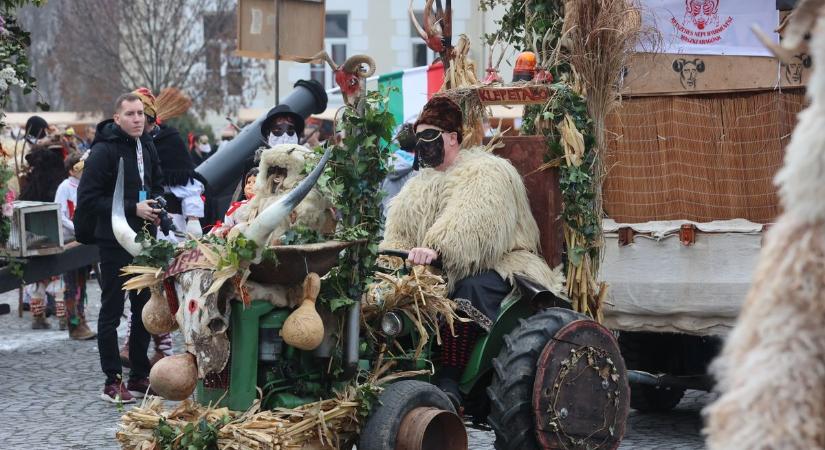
x=398, y=399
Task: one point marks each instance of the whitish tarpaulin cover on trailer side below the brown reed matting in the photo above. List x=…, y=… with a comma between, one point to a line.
x=659, y=284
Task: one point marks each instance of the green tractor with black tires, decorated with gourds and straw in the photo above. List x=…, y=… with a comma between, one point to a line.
x=543, y=377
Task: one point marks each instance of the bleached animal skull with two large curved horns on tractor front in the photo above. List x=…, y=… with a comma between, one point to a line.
x=203, y=312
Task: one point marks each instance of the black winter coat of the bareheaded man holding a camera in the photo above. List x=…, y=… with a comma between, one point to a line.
x=97, y=184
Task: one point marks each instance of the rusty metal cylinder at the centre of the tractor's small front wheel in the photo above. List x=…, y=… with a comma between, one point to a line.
x=426, y=428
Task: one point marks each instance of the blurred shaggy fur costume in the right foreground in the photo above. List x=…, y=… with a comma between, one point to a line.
x=771, y=373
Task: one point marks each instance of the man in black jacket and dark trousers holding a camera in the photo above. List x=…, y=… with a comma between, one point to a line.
x=121, y=137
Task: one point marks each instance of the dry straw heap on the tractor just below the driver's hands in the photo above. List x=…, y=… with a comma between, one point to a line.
x=420, y=295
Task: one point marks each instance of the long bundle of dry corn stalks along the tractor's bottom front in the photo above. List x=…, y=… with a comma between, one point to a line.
x=324, y=424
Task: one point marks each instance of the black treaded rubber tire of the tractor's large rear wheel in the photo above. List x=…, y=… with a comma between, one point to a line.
x=511, y=390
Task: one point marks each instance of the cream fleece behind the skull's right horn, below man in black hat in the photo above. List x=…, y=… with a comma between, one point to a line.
x=314, y=212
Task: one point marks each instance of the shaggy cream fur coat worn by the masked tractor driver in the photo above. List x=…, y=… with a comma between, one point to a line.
x=475, y=215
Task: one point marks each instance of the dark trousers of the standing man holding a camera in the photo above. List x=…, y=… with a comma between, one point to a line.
x=112, y=259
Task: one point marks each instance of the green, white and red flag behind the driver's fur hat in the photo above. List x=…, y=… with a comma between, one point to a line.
x=410, y=89
